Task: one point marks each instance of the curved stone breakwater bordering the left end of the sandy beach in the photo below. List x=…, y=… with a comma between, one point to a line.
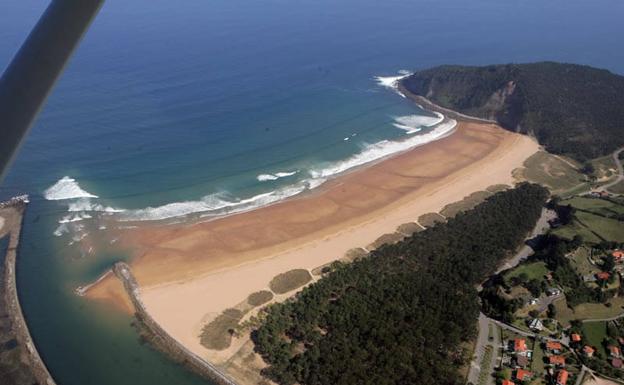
x=160, y=337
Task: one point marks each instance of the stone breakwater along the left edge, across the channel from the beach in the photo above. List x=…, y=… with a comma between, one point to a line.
x=12, y=211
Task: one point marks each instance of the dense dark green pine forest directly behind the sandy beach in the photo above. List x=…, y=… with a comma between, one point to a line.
x=403, y=313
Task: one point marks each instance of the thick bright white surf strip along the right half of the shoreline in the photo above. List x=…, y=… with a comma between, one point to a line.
x=385, y=148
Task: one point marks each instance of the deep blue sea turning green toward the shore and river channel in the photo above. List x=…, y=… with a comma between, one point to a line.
x=183, y=105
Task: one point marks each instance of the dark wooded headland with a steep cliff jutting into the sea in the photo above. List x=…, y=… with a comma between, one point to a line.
x=571, y=109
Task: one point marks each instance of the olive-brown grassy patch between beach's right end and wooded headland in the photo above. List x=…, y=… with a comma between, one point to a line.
x=551, y=171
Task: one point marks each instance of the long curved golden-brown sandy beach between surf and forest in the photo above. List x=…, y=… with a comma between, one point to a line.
x=190, y=273
